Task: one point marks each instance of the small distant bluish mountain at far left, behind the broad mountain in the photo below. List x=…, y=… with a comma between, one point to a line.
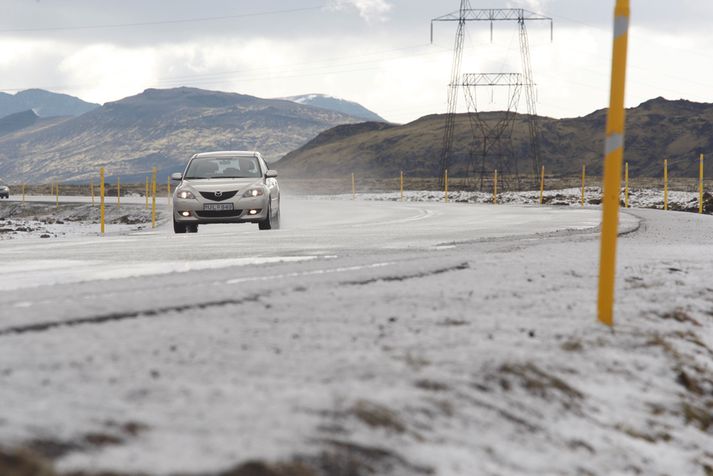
x=43, y=103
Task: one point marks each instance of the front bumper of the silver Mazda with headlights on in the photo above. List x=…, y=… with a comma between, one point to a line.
x=245, y=210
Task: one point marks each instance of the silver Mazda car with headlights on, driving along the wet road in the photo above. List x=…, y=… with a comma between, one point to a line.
x=226, y=187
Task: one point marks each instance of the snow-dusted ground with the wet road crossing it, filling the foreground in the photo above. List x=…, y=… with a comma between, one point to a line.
x=363, y=338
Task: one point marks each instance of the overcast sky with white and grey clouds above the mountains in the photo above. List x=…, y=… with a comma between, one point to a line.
x=375, y=52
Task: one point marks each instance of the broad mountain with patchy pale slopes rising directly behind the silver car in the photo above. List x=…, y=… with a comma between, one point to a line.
x=162, y=128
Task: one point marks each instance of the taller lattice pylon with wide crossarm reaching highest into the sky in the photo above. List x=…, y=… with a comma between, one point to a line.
x=467, y=14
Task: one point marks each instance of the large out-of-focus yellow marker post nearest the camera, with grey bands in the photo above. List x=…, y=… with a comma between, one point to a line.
x=614, y=155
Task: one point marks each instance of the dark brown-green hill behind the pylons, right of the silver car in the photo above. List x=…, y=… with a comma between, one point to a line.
x=656, y=130
